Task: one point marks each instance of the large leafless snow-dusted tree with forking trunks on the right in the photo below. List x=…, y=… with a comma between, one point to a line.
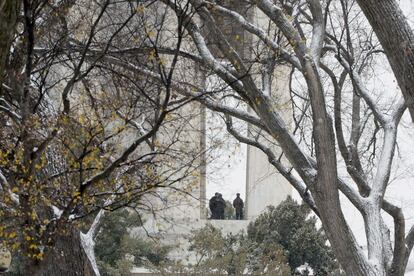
x=316, y=51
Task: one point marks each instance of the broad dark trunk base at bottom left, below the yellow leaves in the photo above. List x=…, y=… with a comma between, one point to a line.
x=67, y=257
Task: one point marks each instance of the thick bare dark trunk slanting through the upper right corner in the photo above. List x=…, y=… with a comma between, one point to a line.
x=397, y=40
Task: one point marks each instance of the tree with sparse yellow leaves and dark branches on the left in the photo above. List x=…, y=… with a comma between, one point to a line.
x=81, y=135
